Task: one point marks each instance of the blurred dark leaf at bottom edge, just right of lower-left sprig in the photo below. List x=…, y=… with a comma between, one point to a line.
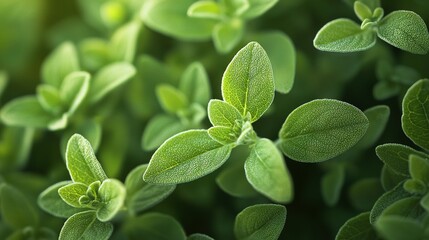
x=153, y=226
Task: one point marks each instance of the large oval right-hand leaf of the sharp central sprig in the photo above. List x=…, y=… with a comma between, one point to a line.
x=321, y=129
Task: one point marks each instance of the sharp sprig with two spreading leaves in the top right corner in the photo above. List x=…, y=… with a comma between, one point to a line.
x=402, y=29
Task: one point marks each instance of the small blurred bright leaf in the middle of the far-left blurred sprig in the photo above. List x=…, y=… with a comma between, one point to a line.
x=49, y=98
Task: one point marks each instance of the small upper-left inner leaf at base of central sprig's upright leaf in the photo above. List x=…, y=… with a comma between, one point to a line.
x=223, y=114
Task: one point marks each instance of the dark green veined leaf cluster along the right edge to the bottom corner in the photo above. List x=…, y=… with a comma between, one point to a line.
x=402, y=211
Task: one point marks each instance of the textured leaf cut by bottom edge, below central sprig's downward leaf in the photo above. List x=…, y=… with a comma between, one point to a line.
x=263, y=221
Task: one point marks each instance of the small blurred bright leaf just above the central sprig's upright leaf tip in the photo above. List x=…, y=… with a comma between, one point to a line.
x=227, y=34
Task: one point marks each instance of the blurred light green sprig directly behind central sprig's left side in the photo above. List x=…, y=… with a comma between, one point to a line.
x=184, y=107
